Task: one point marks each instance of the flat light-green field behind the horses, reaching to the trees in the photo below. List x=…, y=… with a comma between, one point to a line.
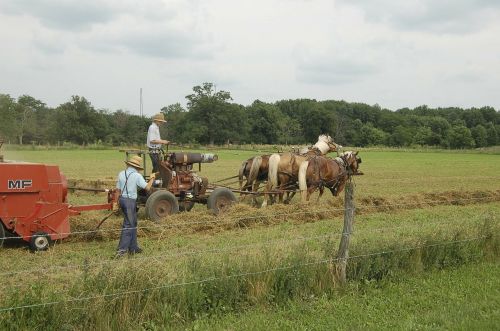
x=387, y=173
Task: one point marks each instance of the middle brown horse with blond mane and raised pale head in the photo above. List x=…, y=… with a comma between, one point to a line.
x=284, y=168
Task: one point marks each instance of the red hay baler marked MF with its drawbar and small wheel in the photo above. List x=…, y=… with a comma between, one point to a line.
x=34, y=203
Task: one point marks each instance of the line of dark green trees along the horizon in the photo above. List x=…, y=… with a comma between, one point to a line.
x=211, y=117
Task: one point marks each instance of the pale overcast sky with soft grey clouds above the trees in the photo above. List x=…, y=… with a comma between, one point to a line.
x=392, y=53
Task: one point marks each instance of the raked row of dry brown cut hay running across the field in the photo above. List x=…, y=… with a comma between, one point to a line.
x=244, y=216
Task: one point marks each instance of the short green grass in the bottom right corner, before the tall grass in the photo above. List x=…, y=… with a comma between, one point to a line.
x=465, y=298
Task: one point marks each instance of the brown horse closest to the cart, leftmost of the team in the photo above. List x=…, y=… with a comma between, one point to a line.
x=255, y=171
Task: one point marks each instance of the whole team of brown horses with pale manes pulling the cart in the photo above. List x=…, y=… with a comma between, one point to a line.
x=307, y=170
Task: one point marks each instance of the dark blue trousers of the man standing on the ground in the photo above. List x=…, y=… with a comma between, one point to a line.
x=128, y=237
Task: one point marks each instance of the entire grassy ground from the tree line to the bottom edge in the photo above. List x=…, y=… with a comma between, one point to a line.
x=252, y=240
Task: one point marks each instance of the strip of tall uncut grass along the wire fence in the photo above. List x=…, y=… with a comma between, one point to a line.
x=171, y=294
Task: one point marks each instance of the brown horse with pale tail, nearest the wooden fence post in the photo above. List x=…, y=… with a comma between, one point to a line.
x=320, y=172
